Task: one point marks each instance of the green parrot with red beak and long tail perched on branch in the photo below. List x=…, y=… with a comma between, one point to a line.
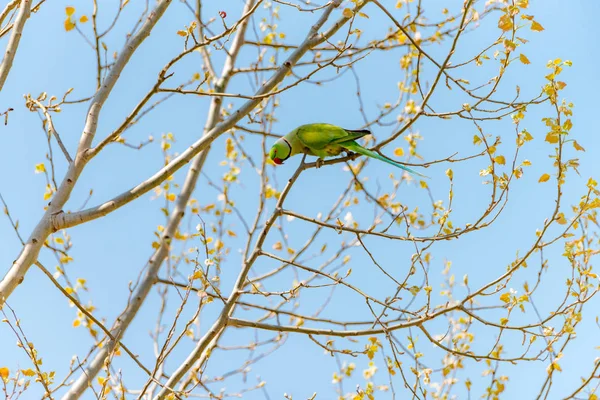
x=324, y=140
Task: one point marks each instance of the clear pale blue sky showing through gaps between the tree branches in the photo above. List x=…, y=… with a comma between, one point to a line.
x=110, y=252
